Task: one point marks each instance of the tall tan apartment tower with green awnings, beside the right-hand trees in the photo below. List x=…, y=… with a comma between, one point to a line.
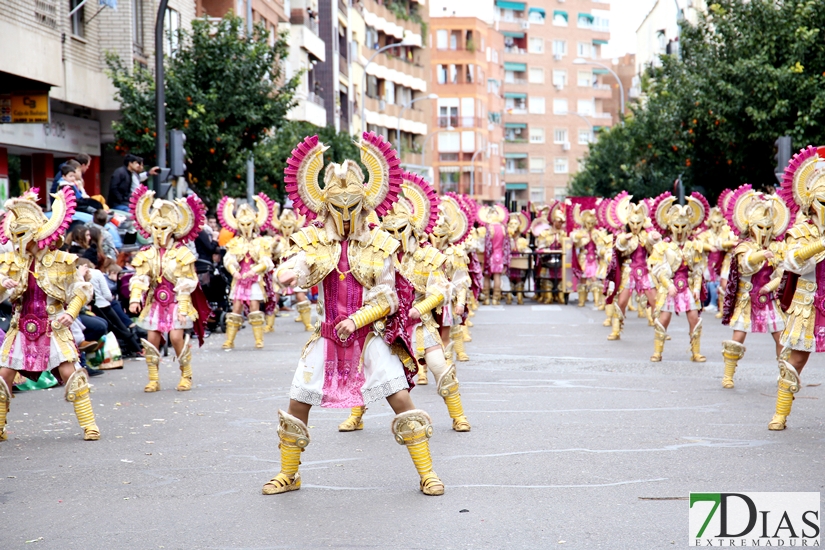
x=555, y=97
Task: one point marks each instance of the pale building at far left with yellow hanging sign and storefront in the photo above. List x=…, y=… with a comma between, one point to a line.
x=55, y=98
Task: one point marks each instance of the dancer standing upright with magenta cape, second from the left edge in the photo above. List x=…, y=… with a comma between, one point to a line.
x=165, y=288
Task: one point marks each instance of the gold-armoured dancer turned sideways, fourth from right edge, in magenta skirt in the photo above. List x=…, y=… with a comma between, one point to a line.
x=634, y=243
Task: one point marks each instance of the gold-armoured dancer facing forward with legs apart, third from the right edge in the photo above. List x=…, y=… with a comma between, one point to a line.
x=677, y=265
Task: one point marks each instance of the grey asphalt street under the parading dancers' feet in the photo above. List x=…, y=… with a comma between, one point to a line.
x=576, y=442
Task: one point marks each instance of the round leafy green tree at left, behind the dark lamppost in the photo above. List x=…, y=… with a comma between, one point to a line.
x=227, y=92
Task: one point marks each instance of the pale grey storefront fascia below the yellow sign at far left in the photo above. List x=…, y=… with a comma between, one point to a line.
x=63, y=134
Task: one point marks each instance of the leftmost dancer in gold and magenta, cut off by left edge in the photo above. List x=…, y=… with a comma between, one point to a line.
x=47, y=293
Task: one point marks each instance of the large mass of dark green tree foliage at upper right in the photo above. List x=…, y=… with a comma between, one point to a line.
x=750, y=72
